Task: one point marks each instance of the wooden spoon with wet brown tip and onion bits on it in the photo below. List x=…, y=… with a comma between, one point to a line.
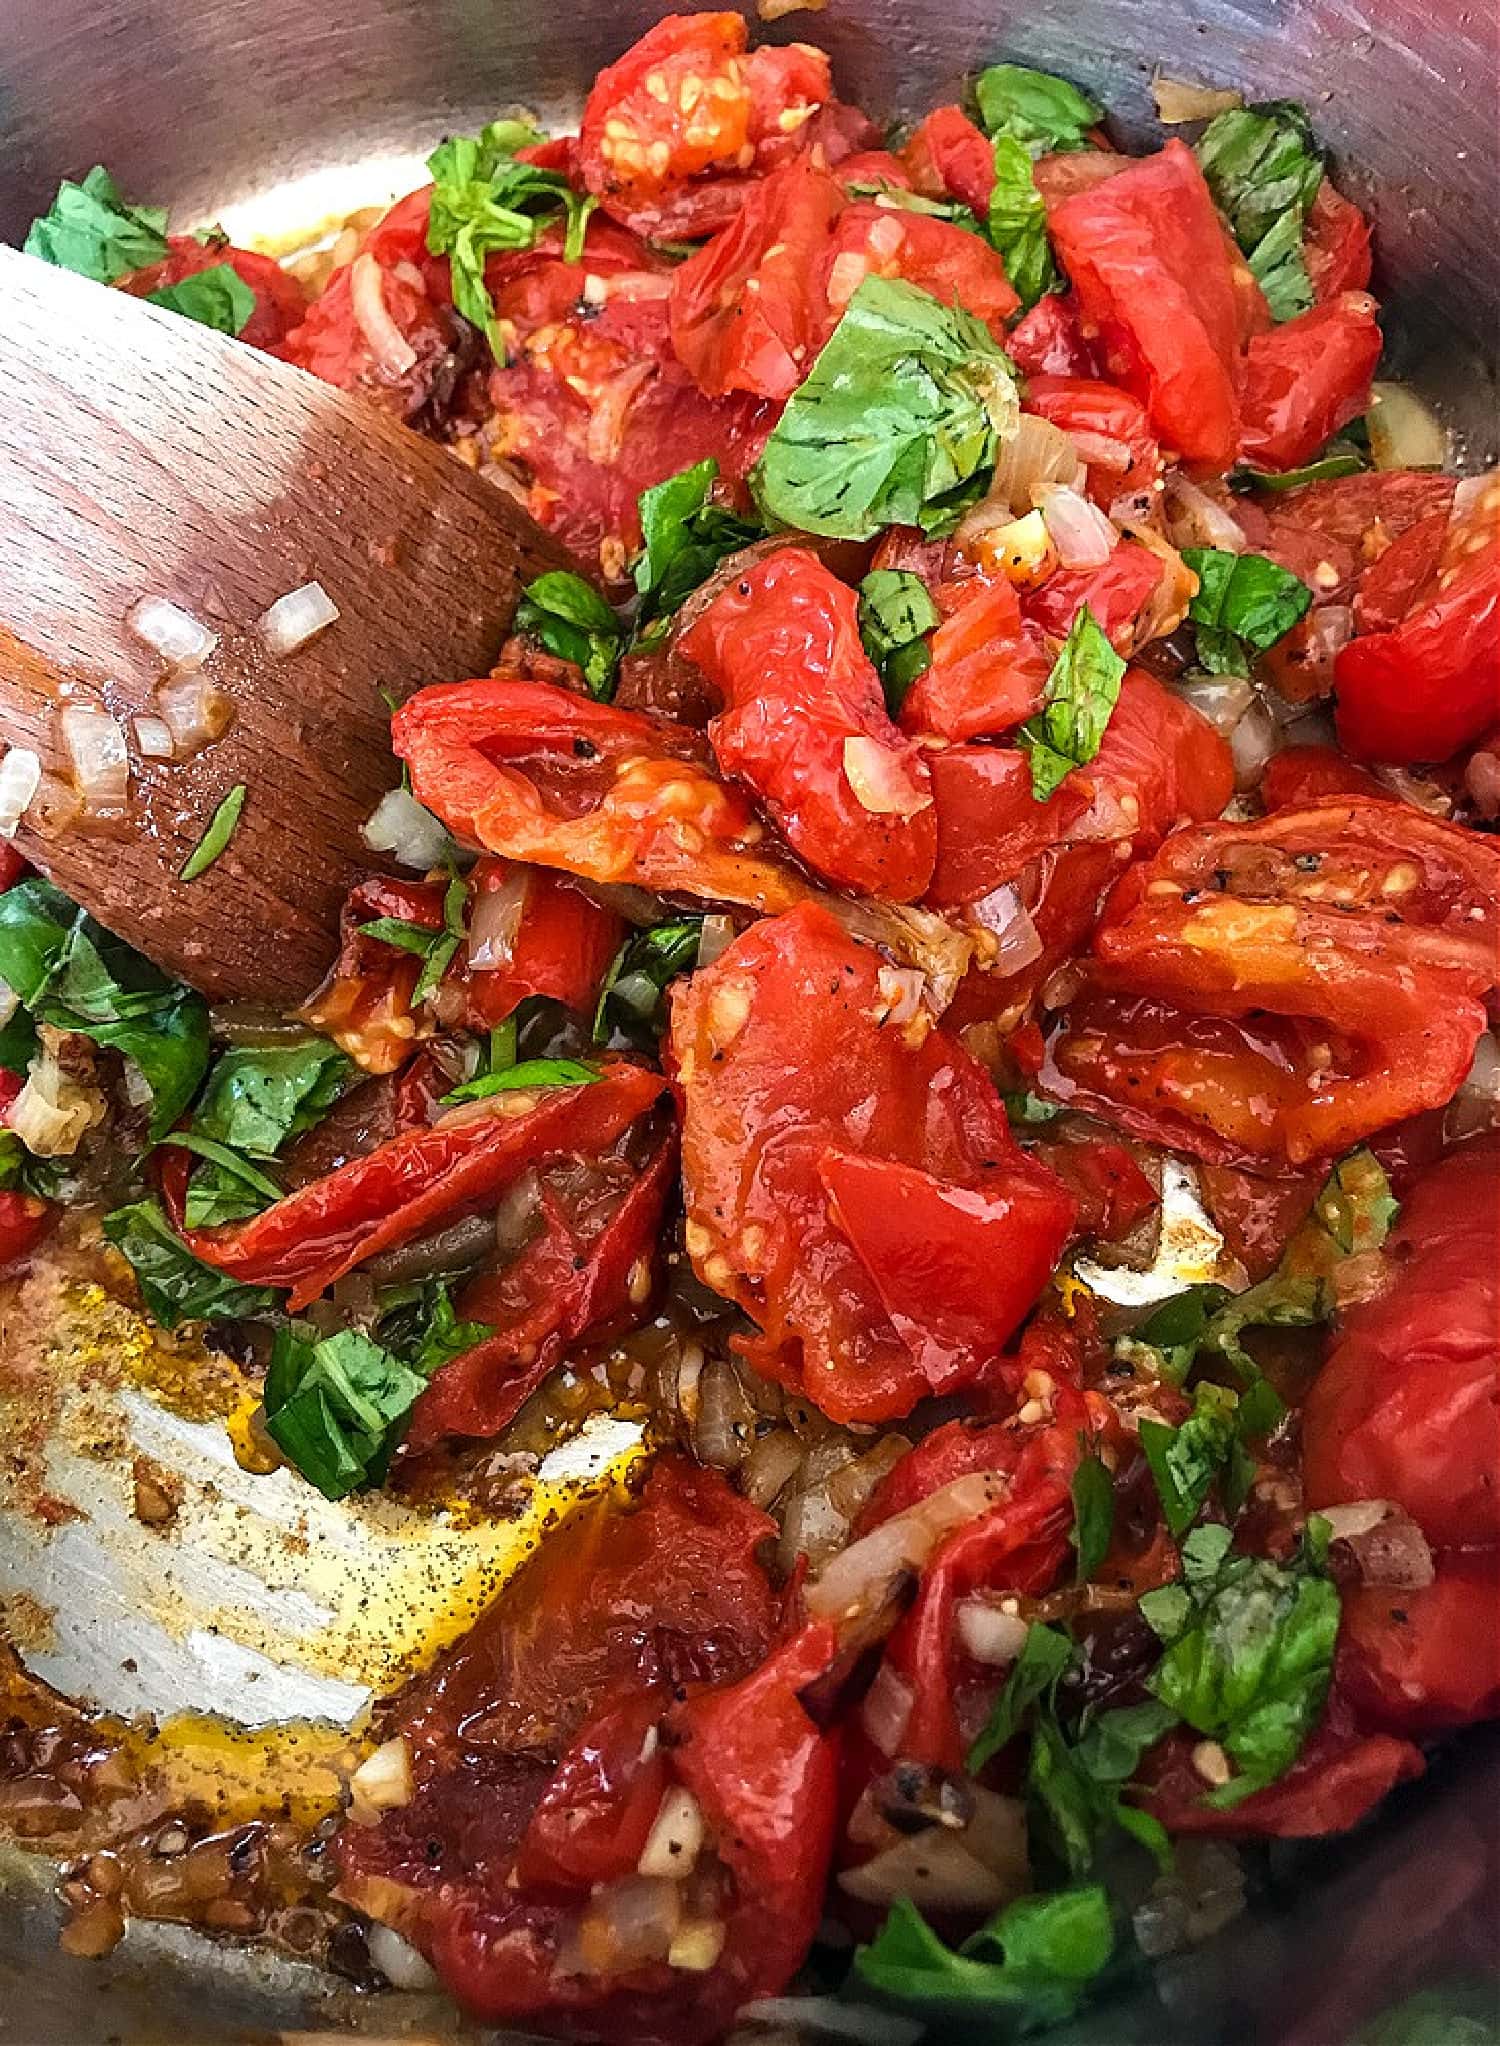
x=146, y=455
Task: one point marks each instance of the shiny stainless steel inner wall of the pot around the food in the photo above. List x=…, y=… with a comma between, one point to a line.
x=273, y=114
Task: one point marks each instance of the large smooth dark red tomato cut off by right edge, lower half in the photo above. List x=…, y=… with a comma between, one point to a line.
x=1407, y=1407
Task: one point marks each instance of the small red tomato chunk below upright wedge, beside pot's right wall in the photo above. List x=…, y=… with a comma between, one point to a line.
x=1307, y=380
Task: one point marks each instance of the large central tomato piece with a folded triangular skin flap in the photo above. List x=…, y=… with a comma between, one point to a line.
x=850, y=1175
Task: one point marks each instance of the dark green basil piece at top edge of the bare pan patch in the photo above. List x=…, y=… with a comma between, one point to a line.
x=337, y=1407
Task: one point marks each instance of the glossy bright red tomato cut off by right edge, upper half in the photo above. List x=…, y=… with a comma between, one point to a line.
x=1433, y=684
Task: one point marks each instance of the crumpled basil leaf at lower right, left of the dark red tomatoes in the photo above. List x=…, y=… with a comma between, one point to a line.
x=1249, y=1652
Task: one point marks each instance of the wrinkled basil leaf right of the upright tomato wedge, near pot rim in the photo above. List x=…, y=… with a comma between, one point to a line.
x=1264, y=169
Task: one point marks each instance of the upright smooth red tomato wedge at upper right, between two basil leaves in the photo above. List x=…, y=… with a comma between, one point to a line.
x=1147, y=259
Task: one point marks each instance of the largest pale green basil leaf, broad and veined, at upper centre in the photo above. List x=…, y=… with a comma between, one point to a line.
x=895, y=425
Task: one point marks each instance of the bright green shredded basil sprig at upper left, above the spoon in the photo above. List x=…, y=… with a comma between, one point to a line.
x=486, y=202
